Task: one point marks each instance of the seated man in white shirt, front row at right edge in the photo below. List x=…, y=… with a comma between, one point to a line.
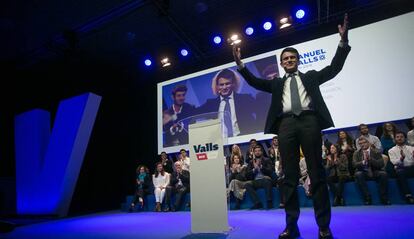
x=402, y=157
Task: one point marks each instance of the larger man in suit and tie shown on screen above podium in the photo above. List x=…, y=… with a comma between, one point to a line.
x=236, y=110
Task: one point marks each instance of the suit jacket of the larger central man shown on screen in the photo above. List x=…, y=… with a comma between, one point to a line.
x=245, y=111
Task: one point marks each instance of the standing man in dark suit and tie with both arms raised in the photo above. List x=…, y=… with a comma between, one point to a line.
x=297, y=114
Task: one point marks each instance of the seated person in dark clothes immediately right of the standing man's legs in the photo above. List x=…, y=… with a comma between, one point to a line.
x=337, y=172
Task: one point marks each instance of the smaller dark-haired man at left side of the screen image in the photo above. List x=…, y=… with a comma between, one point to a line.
x=175, y=130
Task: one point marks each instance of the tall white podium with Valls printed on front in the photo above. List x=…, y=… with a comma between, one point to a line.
x=208, y=182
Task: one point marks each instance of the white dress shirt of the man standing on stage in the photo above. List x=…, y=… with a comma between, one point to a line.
x=303, y=95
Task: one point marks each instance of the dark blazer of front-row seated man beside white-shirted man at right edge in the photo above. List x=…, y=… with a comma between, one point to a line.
x=376, y=163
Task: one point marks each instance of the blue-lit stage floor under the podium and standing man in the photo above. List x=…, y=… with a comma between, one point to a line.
x=355, y=222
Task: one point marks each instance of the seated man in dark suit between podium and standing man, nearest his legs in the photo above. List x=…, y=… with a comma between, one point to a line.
x=259, y=171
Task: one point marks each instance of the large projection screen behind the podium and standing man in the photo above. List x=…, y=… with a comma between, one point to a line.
x=375, y=85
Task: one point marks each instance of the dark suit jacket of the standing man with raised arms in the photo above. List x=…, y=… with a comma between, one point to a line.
x=311, y=81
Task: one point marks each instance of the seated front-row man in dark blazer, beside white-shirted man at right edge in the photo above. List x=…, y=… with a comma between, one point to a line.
x=368, y=164
